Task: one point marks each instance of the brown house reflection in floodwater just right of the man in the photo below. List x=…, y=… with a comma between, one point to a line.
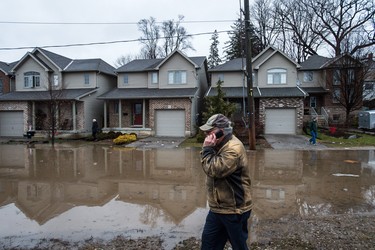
x=276, y=178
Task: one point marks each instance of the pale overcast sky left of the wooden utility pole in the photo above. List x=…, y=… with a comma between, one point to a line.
x=15, y=35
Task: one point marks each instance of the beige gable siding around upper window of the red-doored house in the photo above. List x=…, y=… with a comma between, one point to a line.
x=177, y=62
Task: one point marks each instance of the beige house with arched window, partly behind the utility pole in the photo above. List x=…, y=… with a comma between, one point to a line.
x=277, y=95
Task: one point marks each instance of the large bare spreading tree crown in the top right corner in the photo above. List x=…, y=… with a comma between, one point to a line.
x=338, y=21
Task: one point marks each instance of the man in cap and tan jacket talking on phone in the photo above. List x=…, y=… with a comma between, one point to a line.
x=224, y=161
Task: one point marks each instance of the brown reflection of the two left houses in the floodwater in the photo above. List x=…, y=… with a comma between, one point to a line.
x=50, y=181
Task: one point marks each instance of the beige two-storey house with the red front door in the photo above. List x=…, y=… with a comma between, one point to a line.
x=161, y=97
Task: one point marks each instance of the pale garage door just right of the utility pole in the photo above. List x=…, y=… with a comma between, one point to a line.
x=280, y=121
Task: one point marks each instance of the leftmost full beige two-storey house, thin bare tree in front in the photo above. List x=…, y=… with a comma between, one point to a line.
x=43, y=78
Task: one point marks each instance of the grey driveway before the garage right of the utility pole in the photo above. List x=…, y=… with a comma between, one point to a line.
x=291, y=142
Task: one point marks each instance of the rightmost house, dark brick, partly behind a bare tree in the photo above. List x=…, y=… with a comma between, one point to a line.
x=324, y=79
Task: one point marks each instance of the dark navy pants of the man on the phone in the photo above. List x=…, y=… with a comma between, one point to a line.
x=222, y=227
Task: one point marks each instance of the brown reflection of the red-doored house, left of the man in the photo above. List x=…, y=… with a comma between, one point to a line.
x=168, y=180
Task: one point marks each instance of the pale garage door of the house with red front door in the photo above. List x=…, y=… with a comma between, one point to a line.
x=170, y=123
